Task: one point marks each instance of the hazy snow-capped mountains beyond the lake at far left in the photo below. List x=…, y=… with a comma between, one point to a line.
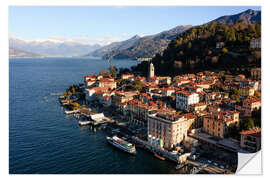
x=52, y=48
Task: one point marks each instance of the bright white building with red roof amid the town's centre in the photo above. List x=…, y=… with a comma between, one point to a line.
x=184, y=99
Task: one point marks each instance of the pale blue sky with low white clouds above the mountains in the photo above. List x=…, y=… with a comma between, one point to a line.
x=106, y=24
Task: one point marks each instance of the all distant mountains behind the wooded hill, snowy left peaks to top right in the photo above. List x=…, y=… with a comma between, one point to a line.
x=135, y=47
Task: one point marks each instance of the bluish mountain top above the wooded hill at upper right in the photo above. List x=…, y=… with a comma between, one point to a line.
x=249, y=16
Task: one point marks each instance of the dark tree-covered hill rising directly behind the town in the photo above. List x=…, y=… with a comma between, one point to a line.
x=195, y=50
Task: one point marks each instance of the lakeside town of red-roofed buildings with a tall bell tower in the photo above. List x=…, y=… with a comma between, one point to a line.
x=208, y=111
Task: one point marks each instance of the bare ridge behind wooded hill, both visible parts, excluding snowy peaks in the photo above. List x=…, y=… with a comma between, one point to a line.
x=149, y=46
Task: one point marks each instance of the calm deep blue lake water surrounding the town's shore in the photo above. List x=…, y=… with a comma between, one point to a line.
x=43, y=140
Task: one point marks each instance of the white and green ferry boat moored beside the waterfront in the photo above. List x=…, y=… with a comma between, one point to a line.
x=122, y=145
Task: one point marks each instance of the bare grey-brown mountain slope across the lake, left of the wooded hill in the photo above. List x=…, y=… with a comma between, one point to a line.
x=138, y=47
